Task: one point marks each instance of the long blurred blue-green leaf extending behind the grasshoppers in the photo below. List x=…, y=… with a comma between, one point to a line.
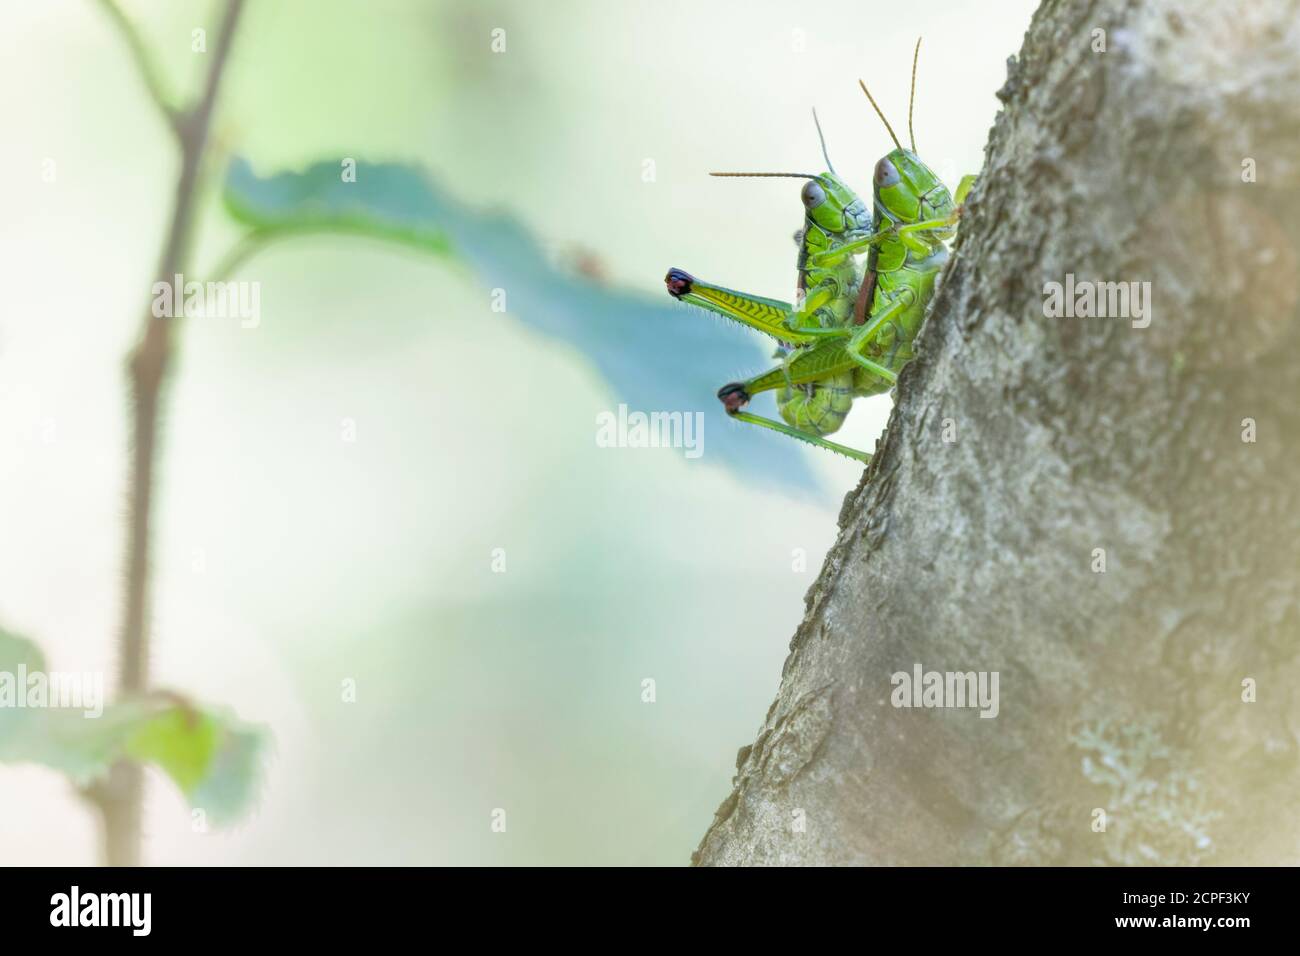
x=655, y=353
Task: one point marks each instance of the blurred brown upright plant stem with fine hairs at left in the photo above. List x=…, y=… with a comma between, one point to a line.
x=123, y=798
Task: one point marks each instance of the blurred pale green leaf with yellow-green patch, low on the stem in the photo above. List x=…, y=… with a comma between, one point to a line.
x=214, y=759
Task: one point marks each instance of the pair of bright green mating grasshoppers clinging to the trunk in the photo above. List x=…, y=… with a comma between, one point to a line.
x=850, y=331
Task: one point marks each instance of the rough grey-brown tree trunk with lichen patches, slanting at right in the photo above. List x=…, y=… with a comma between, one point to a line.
x=1120, y=690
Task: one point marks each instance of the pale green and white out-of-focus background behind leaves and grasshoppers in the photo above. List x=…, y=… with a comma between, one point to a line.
x=289, y=560
